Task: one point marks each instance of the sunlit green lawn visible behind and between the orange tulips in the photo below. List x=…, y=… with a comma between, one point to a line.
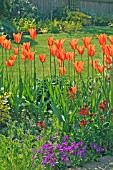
x=41, y=47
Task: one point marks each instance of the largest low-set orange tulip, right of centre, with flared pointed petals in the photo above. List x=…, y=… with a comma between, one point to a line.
x=78, y=66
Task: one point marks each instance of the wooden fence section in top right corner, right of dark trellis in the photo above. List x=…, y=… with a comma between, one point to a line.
x=97, y=6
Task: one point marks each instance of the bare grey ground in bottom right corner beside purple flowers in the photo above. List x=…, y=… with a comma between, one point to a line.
x=104, y=163
